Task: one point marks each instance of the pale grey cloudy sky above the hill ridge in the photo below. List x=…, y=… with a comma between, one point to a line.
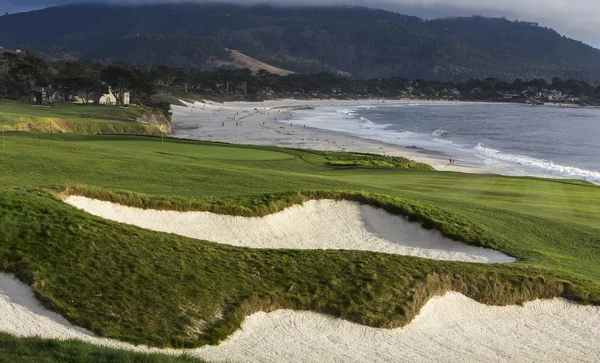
x=577, y=19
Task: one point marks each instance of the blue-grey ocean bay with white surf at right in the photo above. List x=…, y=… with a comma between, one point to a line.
x=511, y=139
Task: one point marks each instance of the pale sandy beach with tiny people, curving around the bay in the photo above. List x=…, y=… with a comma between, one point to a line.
x=265, y=123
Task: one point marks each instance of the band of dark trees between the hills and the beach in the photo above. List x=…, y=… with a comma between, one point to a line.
x=157, y=86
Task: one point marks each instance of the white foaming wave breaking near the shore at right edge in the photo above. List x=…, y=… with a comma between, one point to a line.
x=540, y=164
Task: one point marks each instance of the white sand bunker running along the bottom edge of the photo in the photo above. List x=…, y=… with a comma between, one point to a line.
x=452, y=328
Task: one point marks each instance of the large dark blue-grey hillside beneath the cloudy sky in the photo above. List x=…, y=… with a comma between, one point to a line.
x=365, y=43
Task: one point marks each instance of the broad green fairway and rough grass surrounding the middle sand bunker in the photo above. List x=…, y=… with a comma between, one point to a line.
x=154, y=288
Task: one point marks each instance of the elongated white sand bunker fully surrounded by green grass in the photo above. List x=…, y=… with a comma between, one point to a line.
x=322, y=224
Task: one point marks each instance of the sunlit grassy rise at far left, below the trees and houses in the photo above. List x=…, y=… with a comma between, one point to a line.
x=90, y=119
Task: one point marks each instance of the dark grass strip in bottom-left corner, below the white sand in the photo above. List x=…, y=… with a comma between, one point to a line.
x=15, y=350
